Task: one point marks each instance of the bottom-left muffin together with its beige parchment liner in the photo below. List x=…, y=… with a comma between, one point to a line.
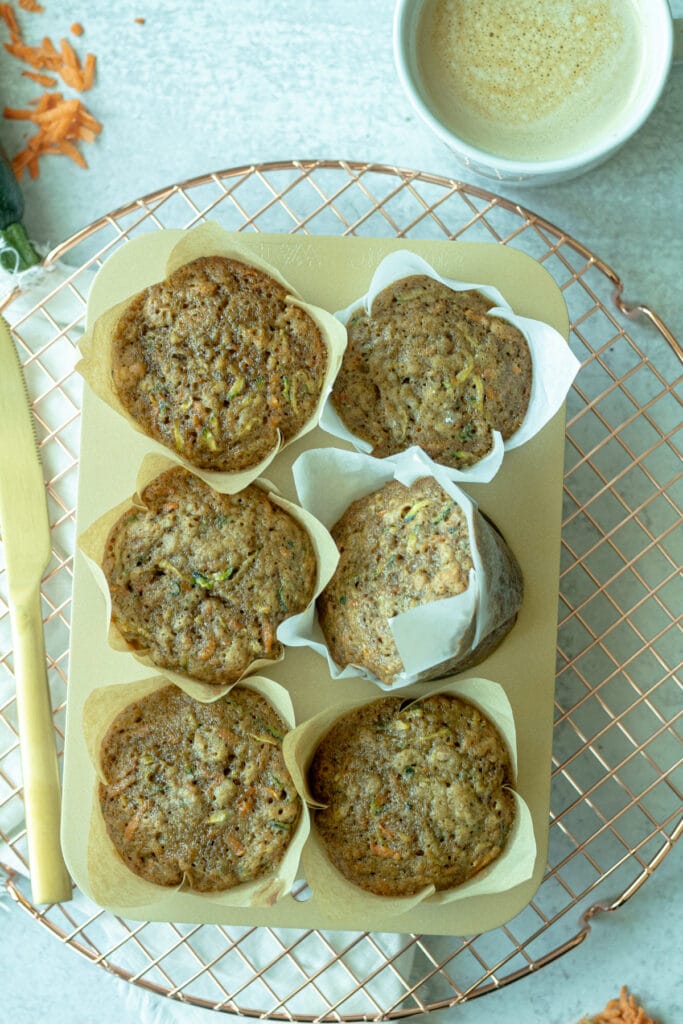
x=192, y=797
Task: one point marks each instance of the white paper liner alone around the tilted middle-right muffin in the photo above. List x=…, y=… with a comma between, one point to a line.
x=431, y=638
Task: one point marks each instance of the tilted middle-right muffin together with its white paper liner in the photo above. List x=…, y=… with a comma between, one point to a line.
x=425, y=586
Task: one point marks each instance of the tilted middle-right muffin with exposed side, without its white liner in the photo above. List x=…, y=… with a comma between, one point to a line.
x=401, y=548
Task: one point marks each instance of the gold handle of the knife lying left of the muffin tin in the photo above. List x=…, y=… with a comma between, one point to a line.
x=50, y=879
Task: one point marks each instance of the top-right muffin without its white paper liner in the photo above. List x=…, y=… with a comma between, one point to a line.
x=430, y=367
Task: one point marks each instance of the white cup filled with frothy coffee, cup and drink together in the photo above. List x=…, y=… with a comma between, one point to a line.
x=534, y=91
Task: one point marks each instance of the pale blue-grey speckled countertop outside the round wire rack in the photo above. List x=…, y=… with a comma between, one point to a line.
x=204, y=87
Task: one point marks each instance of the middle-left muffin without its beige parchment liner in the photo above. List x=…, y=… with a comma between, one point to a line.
x=201, y=581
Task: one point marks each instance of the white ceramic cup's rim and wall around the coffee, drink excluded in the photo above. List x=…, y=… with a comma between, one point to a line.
x=662, y=37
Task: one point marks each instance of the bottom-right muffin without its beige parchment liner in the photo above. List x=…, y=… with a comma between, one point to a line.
x=413, y=796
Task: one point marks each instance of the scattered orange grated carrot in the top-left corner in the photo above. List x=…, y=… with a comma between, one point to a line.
x=60, y=123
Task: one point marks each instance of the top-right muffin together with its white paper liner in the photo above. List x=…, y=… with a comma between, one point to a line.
x=446, y=366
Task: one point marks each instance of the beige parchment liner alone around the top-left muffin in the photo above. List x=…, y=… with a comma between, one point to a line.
x=206, y=240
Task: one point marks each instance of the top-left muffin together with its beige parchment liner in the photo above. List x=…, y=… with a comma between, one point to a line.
x=221, y=365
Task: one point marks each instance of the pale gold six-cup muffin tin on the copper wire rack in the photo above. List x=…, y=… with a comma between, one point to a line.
x=525, y=499
